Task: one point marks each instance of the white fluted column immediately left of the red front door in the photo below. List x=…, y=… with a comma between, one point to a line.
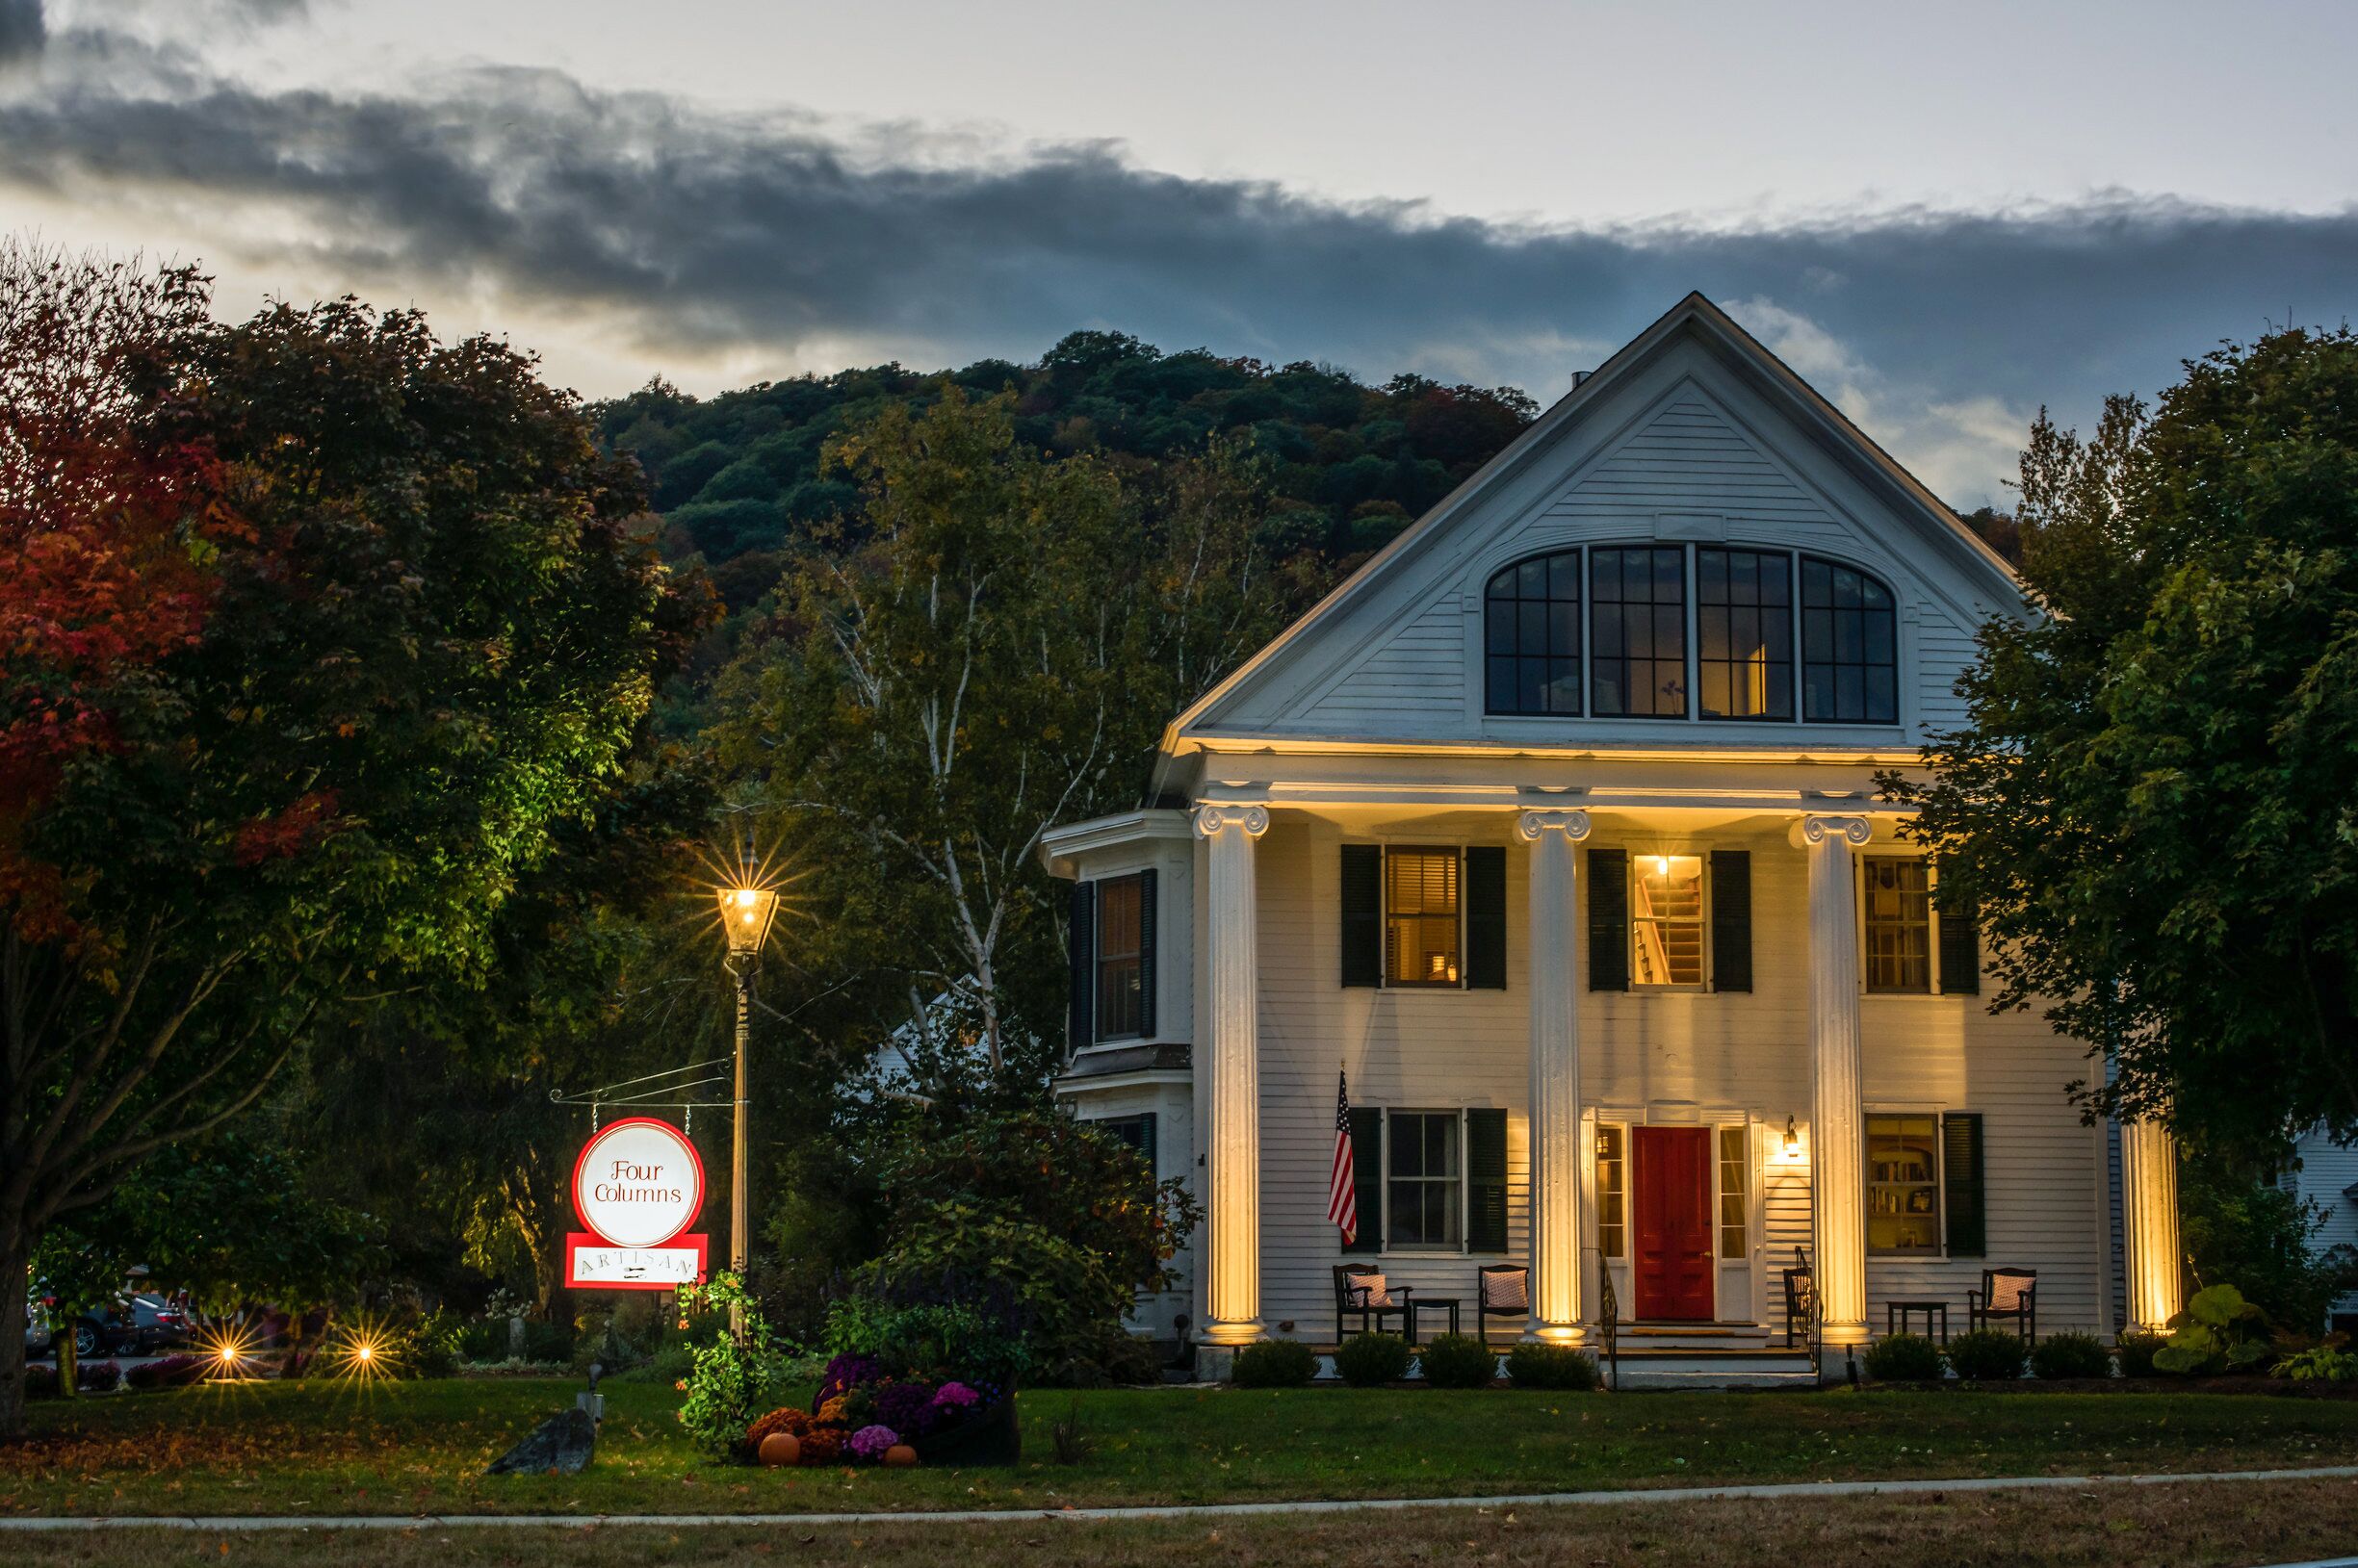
x=1555, y=1074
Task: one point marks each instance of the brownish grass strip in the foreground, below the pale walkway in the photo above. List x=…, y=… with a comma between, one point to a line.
x=2185, y=1527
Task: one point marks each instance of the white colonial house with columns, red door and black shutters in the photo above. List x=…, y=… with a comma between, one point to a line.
x=1555, y=831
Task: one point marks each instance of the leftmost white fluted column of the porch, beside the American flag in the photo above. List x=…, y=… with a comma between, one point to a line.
x=1232, y=1076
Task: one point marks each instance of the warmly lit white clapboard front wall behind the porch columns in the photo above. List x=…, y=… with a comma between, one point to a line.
x=1671, y=1058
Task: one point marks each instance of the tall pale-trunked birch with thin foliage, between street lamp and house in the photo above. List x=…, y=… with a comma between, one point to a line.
x=992, y=657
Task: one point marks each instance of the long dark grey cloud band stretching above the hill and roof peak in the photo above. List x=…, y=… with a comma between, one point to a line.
x=690, y=232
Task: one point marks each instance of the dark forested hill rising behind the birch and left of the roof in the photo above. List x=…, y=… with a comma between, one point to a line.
x=739, y=477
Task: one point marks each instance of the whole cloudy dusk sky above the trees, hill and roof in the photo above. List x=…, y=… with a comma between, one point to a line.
x=1942, y=216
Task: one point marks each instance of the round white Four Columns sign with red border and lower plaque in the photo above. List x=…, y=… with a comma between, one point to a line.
x=638, y=1185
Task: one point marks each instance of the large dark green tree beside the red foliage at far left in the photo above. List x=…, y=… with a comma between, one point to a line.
x=433, y=635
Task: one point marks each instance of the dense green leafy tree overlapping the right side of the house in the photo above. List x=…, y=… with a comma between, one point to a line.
x=2152, y=796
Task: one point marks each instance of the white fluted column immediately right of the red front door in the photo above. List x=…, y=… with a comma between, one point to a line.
x=1838, y=1116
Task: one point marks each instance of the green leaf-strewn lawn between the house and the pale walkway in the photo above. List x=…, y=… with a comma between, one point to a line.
x=421, y=1449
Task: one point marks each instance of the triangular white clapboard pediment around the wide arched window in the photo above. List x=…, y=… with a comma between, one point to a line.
x=1692, y=433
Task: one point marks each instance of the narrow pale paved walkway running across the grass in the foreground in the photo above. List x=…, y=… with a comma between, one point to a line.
x=1178, y=1510
